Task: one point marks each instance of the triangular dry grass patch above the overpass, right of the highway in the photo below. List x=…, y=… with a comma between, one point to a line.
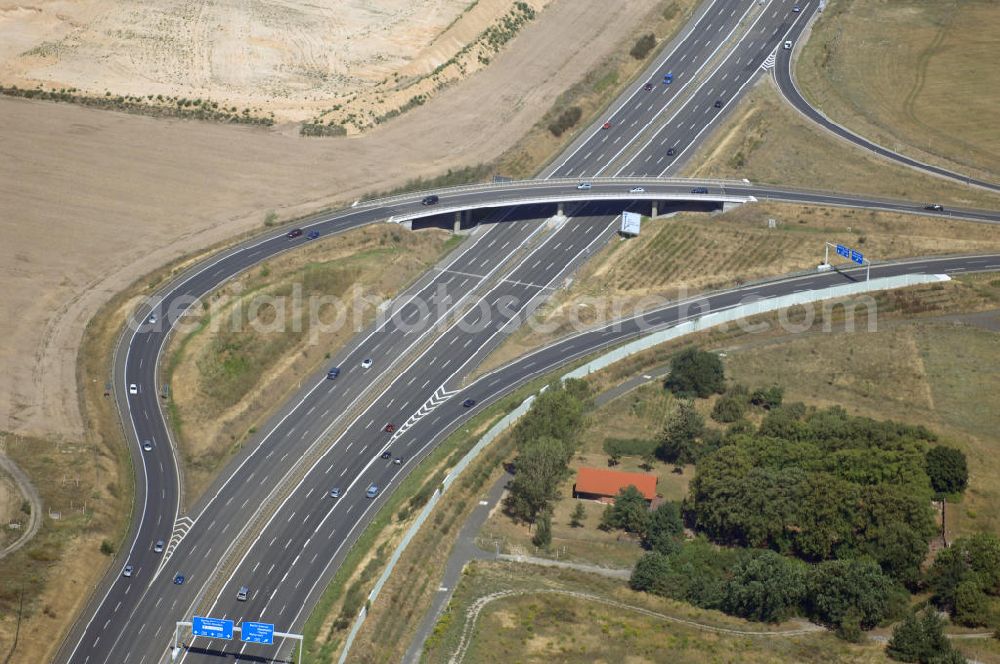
x=766, y=140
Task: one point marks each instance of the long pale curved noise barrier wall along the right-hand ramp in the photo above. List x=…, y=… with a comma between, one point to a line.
x=678, y=330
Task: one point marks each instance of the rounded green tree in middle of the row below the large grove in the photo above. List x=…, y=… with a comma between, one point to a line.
x=765, y=586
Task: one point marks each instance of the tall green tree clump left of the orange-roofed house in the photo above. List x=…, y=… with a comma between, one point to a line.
x=546, y=438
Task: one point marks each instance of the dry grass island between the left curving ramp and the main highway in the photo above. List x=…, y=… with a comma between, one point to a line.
x=225, y=379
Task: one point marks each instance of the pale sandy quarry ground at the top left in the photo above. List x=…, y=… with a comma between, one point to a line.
x=293, y=58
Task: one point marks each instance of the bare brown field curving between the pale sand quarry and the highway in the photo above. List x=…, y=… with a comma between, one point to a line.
x=92, y=200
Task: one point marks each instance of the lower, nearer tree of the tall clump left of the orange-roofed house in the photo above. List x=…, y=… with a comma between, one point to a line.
x=538, y=469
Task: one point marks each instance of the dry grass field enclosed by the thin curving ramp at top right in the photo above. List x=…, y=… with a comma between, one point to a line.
x=928, y=85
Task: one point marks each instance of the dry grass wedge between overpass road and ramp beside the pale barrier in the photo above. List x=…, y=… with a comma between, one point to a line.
x=690, y=253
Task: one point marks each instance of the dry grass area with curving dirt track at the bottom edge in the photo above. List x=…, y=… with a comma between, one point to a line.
x=525, y=616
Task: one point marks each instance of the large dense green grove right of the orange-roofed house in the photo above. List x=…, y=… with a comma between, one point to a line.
x=819, y=484
